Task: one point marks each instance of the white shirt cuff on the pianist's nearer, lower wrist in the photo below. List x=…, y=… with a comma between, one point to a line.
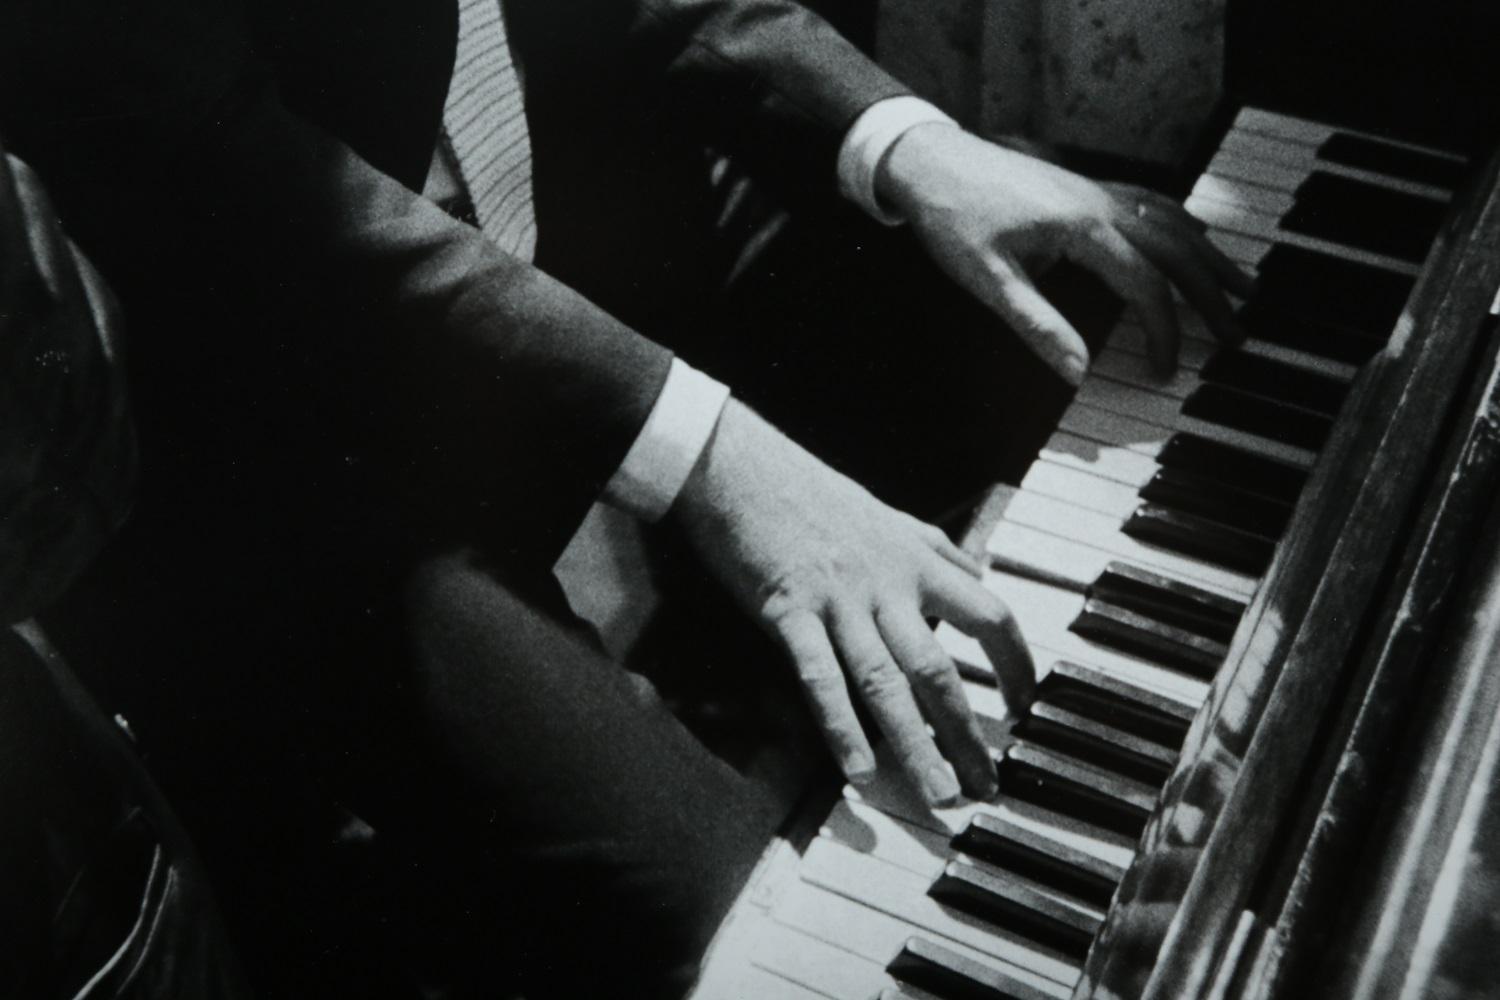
x=668, y=448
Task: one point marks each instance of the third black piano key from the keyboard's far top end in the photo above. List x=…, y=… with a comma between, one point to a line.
x=1330, y=290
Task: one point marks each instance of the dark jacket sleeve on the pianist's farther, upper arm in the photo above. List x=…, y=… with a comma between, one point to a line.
x=767, y=80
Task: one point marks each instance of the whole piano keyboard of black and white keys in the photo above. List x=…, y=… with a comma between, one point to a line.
x=1129, y=554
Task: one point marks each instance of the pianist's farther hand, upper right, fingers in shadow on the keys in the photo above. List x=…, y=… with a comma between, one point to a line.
x=994, y=218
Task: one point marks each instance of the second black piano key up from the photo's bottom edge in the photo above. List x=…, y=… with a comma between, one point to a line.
x=1024, y=909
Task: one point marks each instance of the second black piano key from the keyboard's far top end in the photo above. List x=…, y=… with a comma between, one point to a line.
x=1366, y=217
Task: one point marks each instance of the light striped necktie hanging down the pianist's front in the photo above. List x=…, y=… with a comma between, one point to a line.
x=485, y=128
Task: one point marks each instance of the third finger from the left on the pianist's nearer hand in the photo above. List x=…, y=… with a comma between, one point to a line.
x=940, y=693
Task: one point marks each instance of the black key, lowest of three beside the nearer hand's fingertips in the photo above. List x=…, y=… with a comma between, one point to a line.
x=1076, y=789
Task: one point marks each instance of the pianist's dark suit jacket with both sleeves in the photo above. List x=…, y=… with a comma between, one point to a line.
x=245, y=178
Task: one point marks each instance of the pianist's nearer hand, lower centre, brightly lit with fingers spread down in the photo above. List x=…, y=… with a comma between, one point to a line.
x=845, y=584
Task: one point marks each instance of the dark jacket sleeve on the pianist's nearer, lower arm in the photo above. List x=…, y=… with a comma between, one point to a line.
x=175, y=163
